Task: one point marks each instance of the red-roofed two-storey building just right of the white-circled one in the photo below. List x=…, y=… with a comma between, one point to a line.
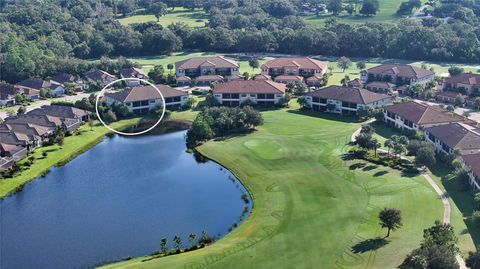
x=260, y=92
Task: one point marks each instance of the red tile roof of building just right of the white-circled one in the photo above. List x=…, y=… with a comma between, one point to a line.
x=250, y=86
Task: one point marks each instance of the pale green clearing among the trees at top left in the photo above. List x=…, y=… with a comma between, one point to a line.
x=196, y=18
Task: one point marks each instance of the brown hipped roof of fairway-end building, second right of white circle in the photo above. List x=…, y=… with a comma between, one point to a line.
x=349, y=94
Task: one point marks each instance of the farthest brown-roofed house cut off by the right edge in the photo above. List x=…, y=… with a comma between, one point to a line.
x=469, y=83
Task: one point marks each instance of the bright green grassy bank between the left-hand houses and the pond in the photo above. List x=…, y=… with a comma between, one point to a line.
x=56, y=155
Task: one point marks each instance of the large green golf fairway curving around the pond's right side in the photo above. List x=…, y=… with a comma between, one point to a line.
x=312, y=208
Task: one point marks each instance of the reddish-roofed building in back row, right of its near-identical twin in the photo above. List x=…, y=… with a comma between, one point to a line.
x=290, y=69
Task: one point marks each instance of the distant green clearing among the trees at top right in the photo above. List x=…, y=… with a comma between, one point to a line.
x=387, y=13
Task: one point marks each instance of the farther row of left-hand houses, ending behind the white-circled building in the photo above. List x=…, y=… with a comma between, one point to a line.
x=57, y=85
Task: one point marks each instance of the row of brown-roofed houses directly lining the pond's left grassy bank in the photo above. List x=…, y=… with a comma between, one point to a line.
x=22, y=133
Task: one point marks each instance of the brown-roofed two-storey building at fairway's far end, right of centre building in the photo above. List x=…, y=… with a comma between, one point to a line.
x=345, y=100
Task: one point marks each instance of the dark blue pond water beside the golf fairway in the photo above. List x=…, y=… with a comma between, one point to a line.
x=117, y=200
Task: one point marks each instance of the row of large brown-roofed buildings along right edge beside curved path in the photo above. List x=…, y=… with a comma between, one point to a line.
x=450, y=133
